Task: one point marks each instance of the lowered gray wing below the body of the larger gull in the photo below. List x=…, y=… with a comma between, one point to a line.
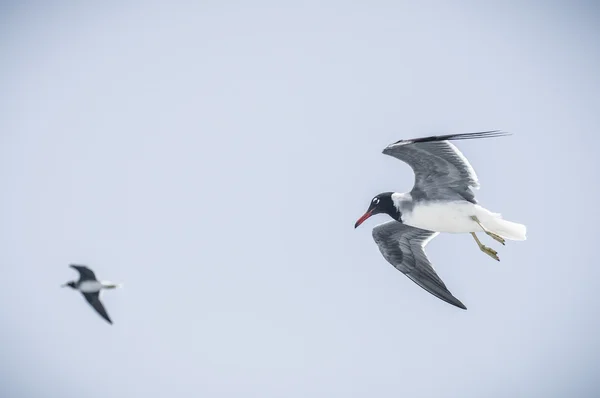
x=403, y=247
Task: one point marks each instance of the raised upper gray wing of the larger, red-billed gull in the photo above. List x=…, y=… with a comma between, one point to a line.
x=441, y=170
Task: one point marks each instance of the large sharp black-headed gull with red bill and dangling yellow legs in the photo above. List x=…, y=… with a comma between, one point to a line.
x=441, y=200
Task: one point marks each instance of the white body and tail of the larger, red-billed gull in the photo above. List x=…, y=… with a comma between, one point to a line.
x=455, y=217
